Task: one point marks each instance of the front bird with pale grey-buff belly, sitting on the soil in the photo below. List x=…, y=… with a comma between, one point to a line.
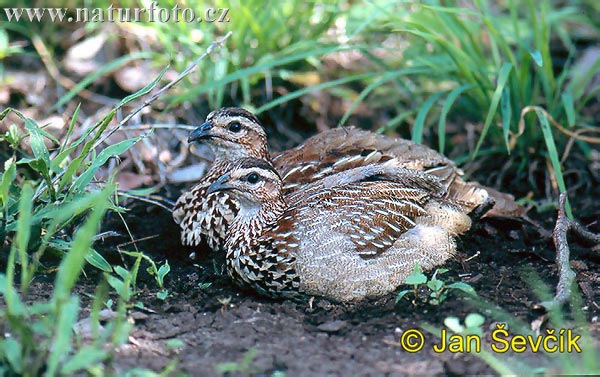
x=349, y=236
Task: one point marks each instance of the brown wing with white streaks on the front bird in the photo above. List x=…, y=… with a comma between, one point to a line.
x=373, y=205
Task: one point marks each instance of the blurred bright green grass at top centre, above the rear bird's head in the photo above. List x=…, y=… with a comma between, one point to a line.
x=276, y=40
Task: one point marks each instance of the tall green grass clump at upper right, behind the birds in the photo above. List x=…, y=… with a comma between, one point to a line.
x=490, y=63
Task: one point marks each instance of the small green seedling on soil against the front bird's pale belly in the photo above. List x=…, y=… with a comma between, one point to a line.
x=436, y=289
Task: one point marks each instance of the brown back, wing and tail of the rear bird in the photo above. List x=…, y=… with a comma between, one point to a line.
x=341, y=149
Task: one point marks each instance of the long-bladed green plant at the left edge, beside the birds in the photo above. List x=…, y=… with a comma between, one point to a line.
x=54, y=185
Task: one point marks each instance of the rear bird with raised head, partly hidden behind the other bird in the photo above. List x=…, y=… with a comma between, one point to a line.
x=234, y=133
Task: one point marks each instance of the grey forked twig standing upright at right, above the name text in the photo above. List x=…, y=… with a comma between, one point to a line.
x=566, y=275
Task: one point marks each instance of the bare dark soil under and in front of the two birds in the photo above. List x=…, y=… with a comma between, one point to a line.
x=218, y=323
